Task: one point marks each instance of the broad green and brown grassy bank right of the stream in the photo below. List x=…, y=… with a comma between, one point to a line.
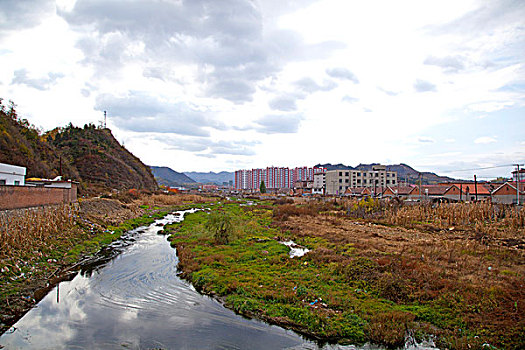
x=363, y=280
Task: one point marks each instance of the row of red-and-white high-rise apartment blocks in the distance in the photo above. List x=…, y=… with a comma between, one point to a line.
x=273, y=177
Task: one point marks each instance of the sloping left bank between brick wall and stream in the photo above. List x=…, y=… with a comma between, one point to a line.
x=43, y=246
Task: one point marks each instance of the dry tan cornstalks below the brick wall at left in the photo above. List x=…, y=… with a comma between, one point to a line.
x=27, y=230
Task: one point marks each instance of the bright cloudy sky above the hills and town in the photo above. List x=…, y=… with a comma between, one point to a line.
x=210, y=85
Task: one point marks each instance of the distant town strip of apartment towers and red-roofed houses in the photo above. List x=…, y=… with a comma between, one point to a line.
x=377, y=182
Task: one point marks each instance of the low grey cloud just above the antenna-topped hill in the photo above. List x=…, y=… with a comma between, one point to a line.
x=143, y=113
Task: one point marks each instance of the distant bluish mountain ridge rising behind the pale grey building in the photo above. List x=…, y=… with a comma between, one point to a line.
x=405, y=173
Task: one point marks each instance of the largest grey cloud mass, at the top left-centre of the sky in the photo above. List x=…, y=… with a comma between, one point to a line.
x=225, y=39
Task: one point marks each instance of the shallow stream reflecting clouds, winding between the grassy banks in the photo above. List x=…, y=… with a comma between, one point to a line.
x=131, y=298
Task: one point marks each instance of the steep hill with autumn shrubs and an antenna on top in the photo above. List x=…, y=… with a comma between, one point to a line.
x=89, y=155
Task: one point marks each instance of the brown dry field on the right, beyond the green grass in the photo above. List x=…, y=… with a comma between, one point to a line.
x=468, y=259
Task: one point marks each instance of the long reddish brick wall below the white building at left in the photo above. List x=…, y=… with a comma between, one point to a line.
x=15, y=197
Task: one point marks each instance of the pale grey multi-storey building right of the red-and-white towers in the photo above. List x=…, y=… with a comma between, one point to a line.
x=337, y=181
